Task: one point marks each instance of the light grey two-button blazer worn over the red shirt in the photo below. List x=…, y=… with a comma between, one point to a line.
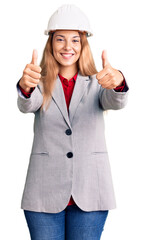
x=69, y=154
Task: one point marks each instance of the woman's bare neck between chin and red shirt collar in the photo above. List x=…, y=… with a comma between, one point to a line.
x=68, y=71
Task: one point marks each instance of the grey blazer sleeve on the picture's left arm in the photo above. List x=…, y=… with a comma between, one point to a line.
x=32, y=104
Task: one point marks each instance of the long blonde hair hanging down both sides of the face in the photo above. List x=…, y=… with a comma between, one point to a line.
x=50, y=67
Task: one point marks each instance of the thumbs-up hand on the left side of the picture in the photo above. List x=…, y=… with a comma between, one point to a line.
x=31, y=74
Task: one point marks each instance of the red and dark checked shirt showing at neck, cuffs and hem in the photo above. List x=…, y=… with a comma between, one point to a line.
x=68, y=87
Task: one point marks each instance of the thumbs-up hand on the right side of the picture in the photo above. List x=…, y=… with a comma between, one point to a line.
x=109, y=77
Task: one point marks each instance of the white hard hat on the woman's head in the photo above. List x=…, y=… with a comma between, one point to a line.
x=69, y=17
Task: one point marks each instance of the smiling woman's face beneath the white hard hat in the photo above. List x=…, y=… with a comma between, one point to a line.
x=66, y=47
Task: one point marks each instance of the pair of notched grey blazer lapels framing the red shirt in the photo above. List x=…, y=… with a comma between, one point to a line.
x=59, y=98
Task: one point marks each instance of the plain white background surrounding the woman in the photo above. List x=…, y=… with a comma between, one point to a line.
x=119, y=27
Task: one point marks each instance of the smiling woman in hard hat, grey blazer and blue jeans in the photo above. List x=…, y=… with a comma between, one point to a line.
x=69, y=189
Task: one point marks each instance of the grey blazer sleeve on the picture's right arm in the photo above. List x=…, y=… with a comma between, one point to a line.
x=110, y=99
